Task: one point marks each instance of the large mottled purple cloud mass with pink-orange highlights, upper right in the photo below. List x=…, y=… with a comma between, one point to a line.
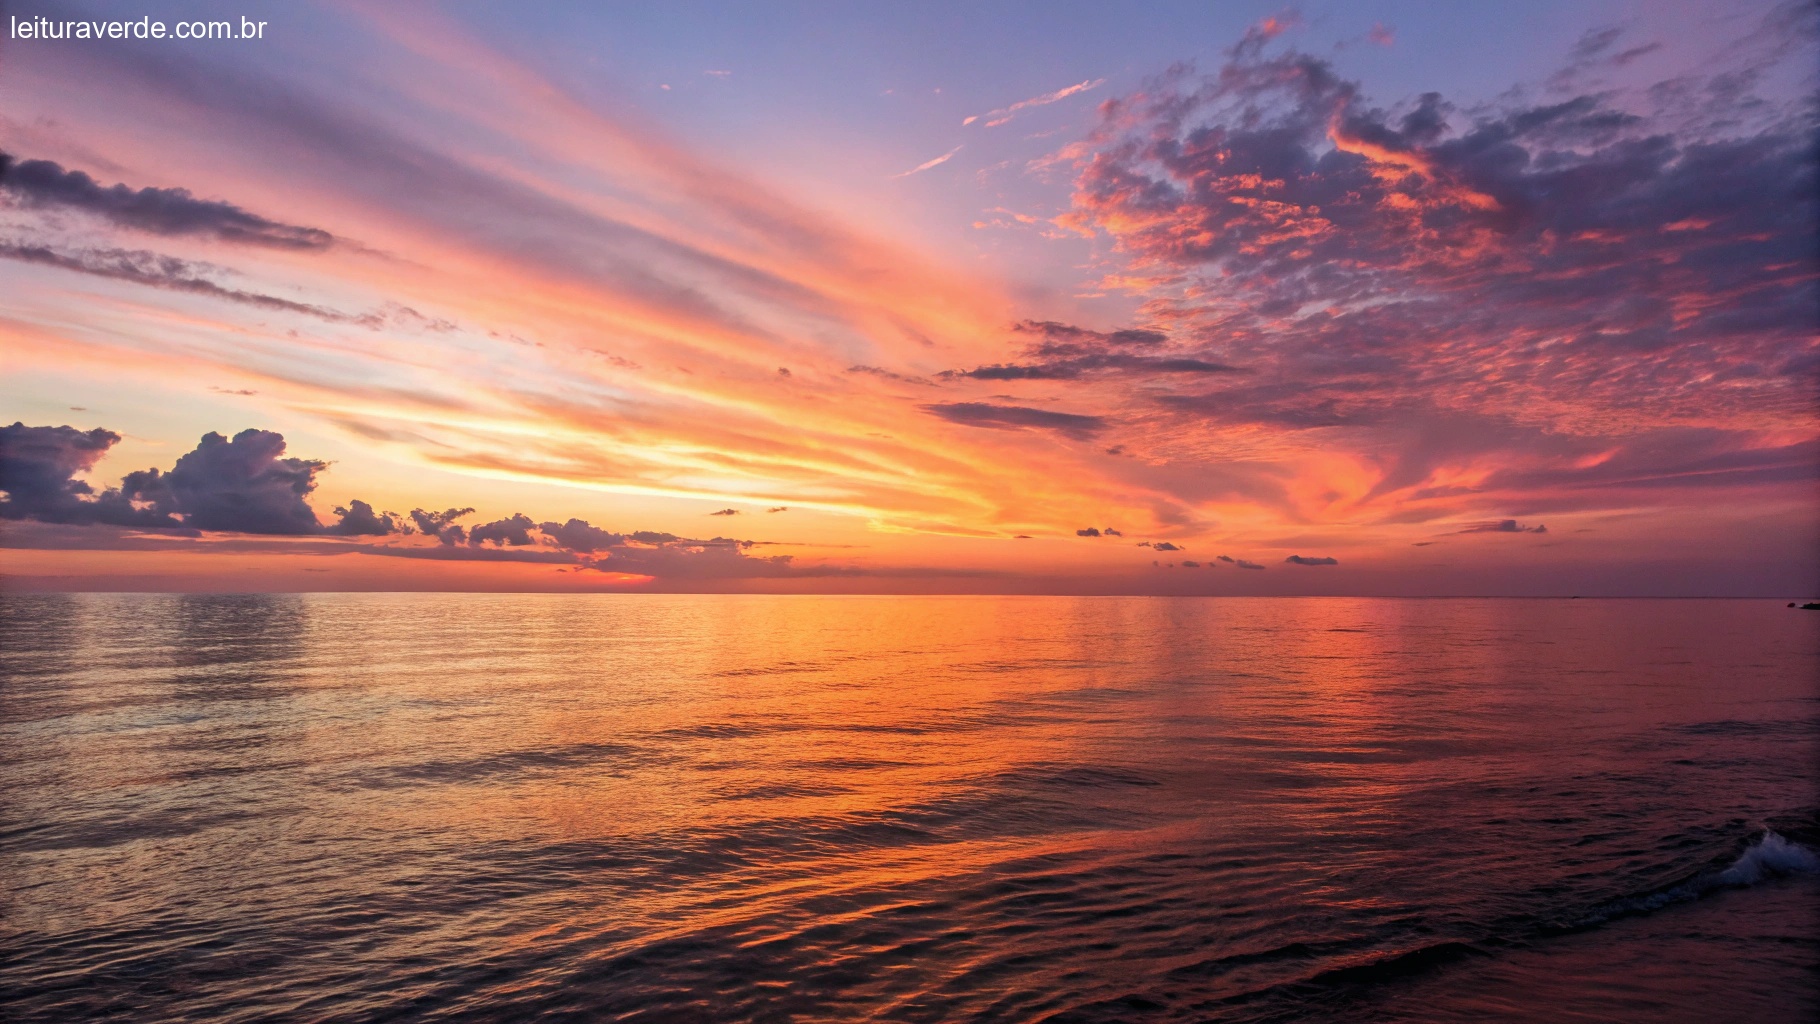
x=1528, y=285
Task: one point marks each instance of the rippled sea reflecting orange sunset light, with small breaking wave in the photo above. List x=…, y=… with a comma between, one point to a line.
x=829, y=810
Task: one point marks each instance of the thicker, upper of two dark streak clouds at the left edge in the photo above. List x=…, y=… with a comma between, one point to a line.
x=150, y=210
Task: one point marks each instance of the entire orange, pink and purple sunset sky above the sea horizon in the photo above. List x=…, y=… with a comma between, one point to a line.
x=1229, y=299
